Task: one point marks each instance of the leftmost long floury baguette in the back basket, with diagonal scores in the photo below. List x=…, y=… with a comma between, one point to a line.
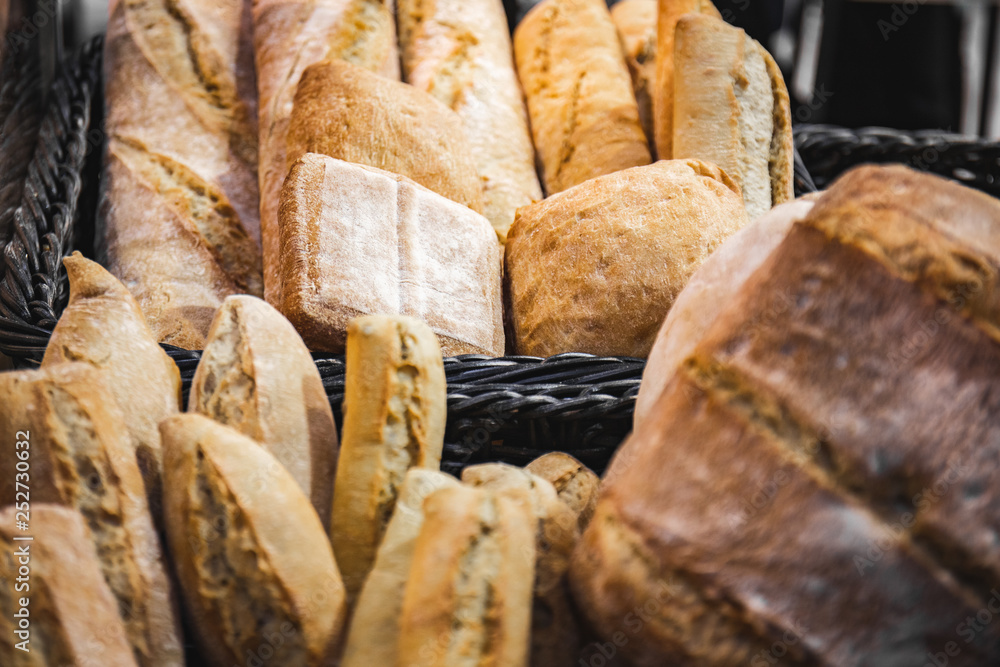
x=179, y=203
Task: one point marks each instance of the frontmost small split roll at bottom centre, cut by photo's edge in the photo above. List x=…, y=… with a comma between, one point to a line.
x=468, y=598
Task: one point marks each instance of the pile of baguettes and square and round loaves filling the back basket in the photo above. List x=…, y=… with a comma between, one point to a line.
x=269, y=147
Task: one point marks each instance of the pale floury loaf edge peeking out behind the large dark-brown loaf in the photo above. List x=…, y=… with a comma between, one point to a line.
x=708, y=293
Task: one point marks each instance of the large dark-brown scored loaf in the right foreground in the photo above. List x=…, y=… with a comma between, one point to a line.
x=832, y=438
